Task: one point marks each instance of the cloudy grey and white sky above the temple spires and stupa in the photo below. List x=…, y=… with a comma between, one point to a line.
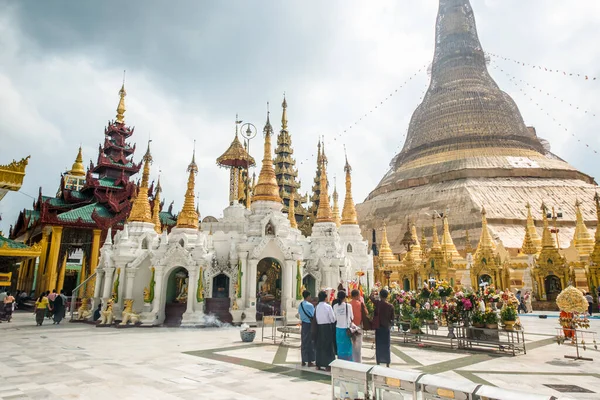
x=192, y=65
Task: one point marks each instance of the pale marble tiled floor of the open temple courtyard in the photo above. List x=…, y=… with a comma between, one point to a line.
x=79, y=361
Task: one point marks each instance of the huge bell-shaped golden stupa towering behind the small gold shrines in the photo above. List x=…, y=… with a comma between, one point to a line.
x=467, y=146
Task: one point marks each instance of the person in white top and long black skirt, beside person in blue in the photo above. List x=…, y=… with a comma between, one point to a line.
x=325, y=333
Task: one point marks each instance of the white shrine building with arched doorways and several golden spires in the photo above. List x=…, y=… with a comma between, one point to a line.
x=253, y=262
